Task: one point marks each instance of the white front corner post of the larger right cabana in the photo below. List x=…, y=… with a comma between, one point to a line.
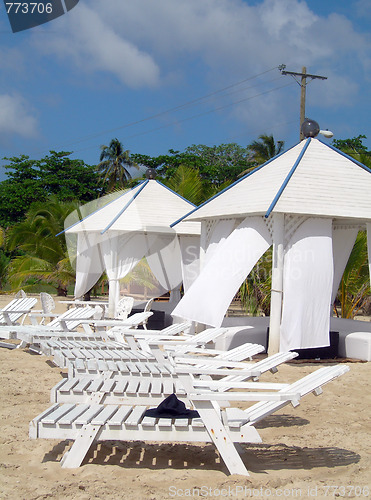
x=277, y=283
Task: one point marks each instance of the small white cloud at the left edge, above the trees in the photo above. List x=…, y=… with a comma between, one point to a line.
x=16, y=117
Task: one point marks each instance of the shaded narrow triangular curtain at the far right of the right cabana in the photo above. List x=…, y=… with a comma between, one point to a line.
x=342, y=244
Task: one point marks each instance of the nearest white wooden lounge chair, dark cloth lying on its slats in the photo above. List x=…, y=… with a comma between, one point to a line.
x=93, y=421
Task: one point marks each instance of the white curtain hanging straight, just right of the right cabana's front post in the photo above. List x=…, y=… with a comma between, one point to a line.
x=307, y=286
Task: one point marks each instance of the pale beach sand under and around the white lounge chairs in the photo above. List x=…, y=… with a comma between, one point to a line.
x=320, y=449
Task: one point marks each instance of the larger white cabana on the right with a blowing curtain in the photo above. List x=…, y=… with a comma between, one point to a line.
x=309, y=203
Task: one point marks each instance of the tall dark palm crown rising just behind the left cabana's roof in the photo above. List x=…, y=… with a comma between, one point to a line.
x=114, y=163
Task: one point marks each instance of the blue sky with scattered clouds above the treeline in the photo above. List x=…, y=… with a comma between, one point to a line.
x=152, y=74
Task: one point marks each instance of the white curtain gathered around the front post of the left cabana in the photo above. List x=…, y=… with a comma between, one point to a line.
x=121, y=253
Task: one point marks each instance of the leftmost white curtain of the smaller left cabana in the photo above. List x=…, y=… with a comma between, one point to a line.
x=89, y=262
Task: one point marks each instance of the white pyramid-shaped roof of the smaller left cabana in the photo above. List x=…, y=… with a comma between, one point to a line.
x=148, y=207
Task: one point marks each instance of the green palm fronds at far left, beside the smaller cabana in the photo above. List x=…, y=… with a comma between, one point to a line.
x=42, y=258
